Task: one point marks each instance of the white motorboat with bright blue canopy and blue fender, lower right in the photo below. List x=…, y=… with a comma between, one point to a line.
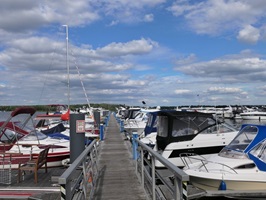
x=241, y=165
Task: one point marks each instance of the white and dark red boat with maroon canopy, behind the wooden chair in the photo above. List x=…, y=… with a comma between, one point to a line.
x=18, y=142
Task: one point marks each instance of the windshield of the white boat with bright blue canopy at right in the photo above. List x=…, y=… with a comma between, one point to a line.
x=240, y=143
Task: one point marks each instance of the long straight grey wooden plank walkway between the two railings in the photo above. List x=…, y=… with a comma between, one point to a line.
x=117, y=178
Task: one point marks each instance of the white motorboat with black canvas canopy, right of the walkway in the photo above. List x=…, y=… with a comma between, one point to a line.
x=190, y=132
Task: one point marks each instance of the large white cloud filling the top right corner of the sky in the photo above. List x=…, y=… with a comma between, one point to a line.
x=215, y=17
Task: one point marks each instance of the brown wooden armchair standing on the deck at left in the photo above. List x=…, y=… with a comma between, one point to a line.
x=34, y=165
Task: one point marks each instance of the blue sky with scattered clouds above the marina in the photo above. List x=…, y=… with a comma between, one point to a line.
x=163, y=52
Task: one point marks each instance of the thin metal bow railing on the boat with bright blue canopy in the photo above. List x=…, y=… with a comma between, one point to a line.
x=189, y=158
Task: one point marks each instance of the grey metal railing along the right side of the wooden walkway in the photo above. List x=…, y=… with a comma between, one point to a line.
x=174, y=180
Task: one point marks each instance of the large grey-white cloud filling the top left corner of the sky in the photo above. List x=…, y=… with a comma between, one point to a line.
x=16, y=16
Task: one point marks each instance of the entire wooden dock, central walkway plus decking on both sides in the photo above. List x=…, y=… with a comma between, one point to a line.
x=116, y=177
